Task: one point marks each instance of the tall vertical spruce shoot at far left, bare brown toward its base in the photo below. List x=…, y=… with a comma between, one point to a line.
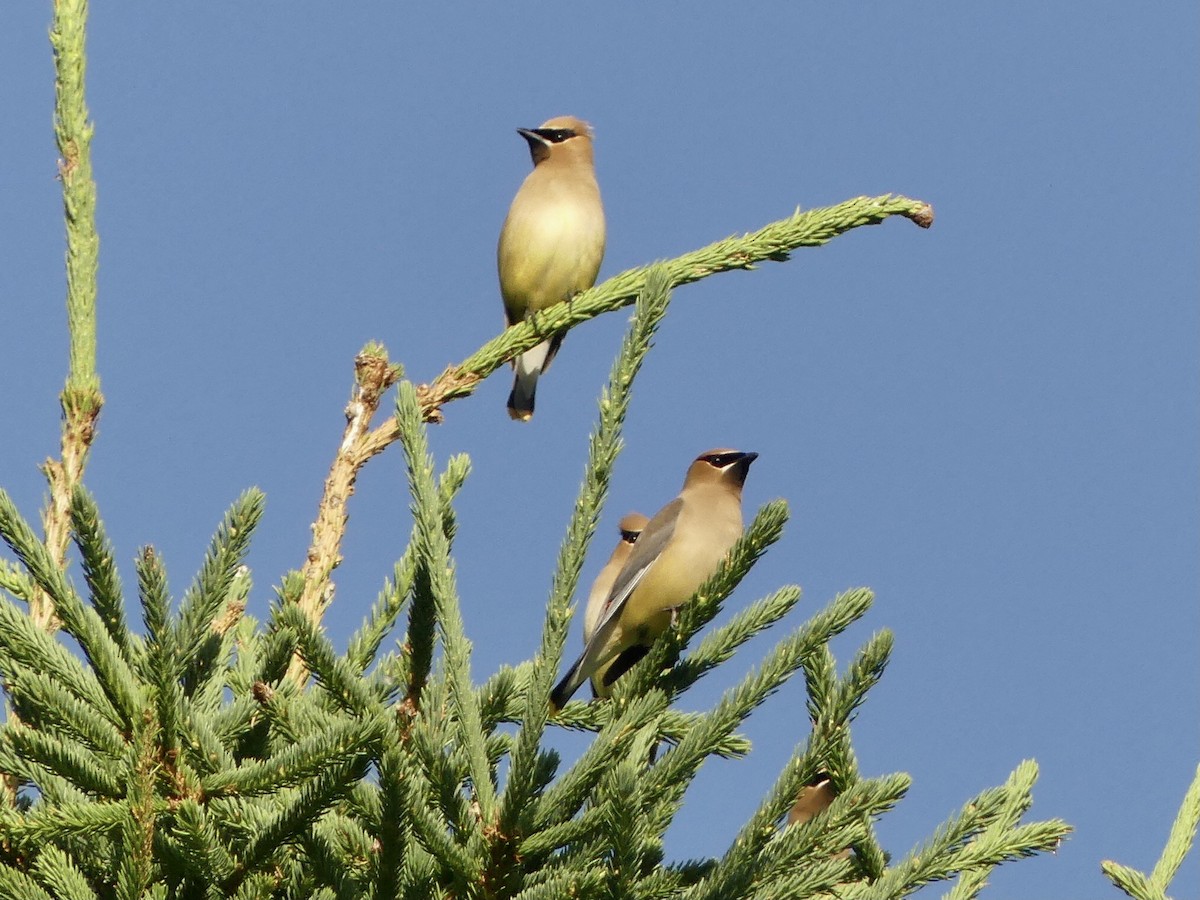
x=81, y=398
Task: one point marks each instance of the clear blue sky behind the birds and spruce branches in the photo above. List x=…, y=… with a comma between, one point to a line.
x=994, y=424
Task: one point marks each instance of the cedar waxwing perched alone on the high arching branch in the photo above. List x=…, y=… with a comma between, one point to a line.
x=553, y=241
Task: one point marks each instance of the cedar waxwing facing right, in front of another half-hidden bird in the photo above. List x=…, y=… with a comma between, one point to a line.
x=681, y=548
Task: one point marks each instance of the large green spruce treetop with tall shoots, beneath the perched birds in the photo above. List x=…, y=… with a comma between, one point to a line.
x=161, y=747
